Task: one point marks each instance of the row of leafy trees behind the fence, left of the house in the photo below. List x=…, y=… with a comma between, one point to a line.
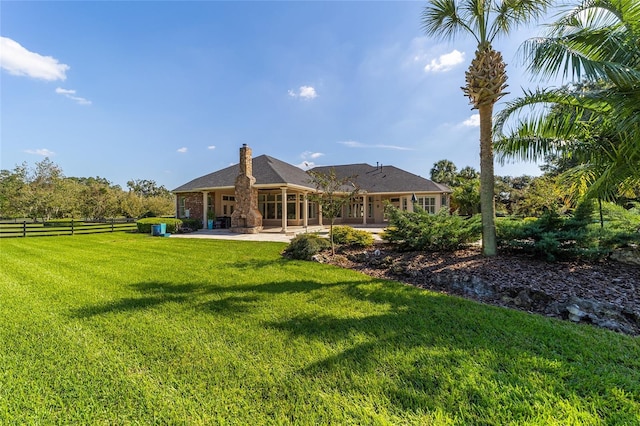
x=43, y=192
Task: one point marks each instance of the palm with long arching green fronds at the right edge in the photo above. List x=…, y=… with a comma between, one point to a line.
x=596, y=123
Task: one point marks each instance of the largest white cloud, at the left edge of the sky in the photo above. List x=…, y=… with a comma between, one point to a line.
x=17, y=60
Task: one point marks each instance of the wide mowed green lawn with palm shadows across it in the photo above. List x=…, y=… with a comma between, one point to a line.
x=131, y=329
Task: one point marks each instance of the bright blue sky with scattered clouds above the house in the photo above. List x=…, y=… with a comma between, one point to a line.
x=169, y=91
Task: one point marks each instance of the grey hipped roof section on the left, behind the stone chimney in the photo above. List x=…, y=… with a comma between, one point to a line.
x=267, y=171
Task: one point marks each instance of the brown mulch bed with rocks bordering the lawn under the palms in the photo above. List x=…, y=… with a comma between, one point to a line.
x=513, y=281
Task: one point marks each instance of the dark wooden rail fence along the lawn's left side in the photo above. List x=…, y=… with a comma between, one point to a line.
x=31, y=229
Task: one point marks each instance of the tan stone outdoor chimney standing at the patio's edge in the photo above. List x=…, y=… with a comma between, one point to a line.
x=246, y=218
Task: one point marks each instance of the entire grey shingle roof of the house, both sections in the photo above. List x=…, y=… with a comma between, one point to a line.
x=271, y=171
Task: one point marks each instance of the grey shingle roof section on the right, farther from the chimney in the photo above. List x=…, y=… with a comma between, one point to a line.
x=384, y=178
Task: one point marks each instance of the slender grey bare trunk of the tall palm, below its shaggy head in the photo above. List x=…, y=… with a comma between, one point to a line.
x=487, y=198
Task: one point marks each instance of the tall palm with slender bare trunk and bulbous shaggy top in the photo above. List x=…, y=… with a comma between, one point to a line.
x=485, y=21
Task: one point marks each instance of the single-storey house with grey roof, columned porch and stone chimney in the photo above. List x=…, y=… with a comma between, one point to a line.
x=266, y=192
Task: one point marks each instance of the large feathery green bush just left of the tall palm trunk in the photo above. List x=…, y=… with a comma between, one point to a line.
x=420, y=230
